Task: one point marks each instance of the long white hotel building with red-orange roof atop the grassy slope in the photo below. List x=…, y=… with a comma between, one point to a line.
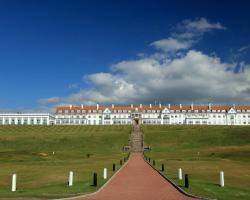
x=102, y=115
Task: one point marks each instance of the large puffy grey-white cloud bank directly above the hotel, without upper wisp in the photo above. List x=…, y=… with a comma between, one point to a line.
x=195, y=77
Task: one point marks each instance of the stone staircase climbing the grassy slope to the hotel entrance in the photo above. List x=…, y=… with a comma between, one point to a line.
x=136, y=139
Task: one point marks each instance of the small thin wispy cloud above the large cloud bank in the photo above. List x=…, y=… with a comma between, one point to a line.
x=186, y=34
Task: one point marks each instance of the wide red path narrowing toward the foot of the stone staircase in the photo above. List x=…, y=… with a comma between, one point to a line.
x=137, y=181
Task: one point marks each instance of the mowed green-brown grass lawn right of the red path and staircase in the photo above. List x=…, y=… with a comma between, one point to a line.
x=202, y=152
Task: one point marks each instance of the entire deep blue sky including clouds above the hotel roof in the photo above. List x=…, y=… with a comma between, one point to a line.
x=73, y=52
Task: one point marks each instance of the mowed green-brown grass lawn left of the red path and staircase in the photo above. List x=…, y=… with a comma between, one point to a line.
x=28, y=152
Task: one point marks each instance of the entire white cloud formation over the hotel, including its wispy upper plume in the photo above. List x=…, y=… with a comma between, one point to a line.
x=187, y=76
